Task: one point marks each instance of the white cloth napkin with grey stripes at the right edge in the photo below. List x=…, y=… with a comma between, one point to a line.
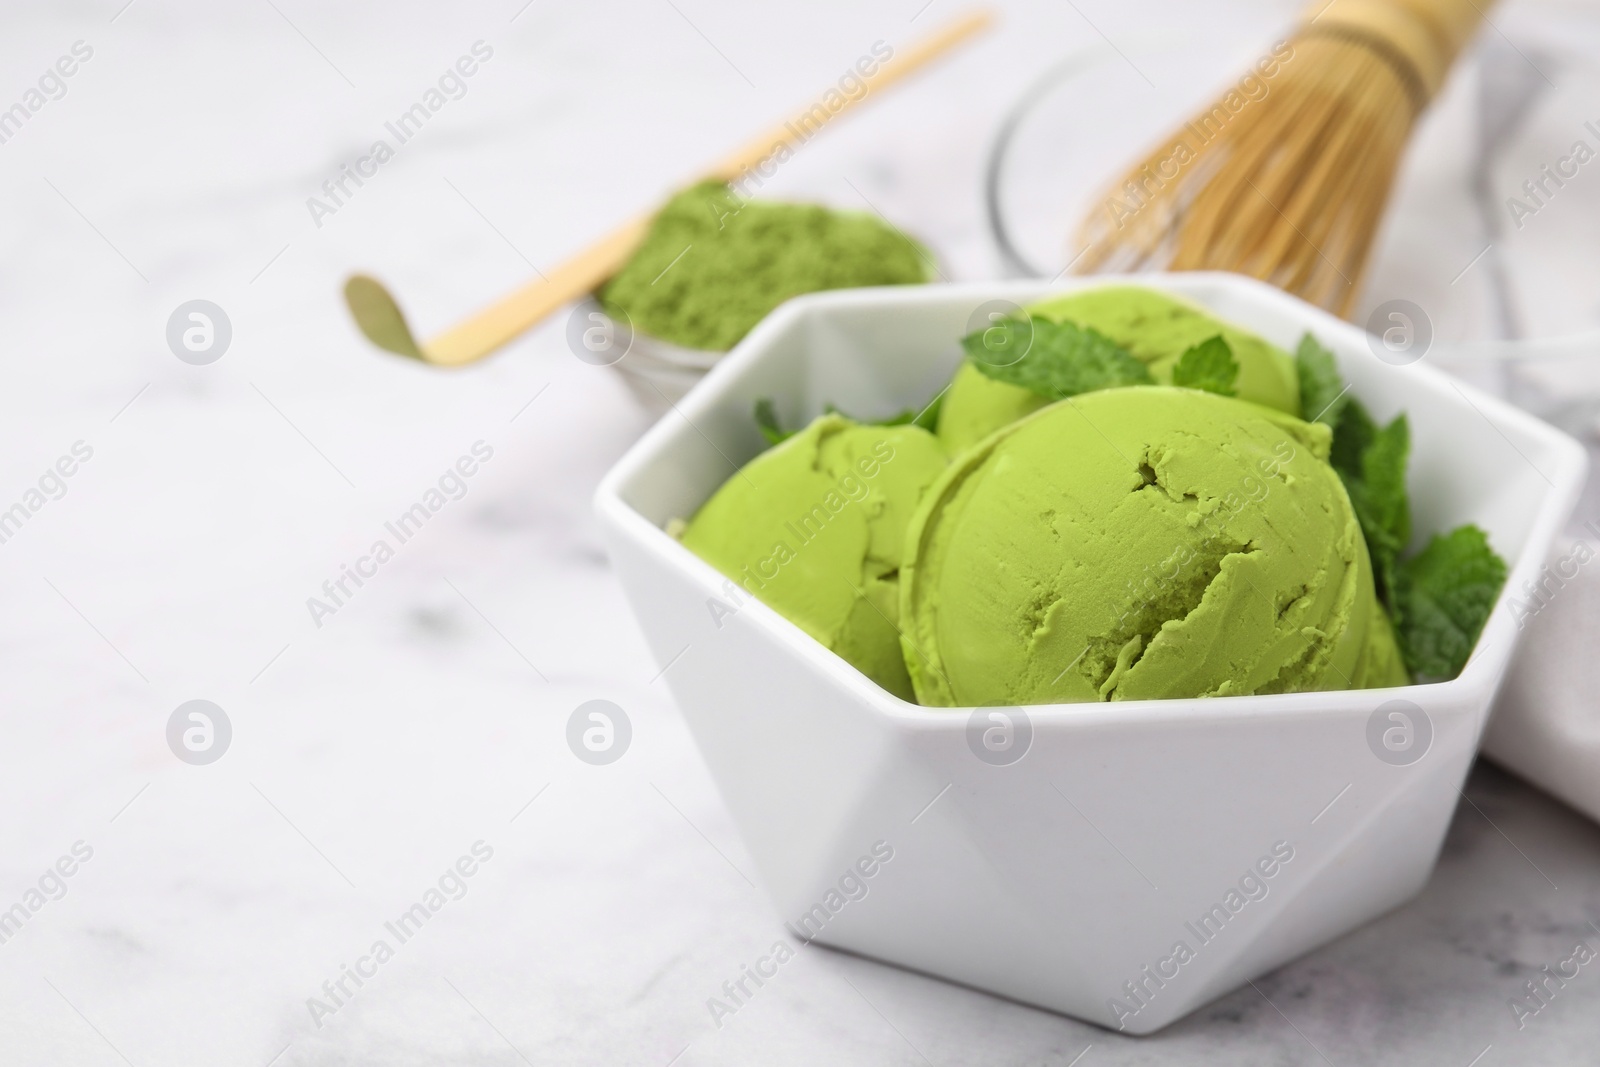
x=1546, y=722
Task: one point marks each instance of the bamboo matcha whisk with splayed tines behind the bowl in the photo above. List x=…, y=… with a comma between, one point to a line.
x=1287, y=177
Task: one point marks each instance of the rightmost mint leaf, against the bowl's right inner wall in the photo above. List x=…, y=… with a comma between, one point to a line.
x=1444, y=597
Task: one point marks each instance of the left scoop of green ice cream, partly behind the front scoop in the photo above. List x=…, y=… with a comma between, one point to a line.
x=815, y=529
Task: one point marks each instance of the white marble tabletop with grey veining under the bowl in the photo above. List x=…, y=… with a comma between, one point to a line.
x=422, y=724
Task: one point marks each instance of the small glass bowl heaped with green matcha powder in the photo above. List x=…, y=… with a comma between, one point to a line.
x=714, y=265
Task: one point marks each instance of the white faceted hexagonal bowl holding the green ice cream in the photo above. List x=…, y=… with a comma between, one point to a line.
x=1070, y=877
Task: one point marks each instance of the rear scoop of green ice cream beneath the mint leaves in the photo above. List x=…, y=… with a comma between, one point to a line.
x=1156, y=329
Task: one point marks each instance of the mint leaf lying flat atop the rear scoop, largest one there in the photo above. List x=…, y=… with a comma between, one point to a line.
x=1058, y=359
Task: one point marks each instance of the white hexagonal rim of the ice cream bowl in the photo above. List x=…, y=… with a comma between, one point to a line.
x=1473, y=687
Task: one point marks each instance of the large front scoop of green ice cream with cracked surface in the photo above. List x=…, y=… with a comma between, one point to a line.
x=1142, y=543
